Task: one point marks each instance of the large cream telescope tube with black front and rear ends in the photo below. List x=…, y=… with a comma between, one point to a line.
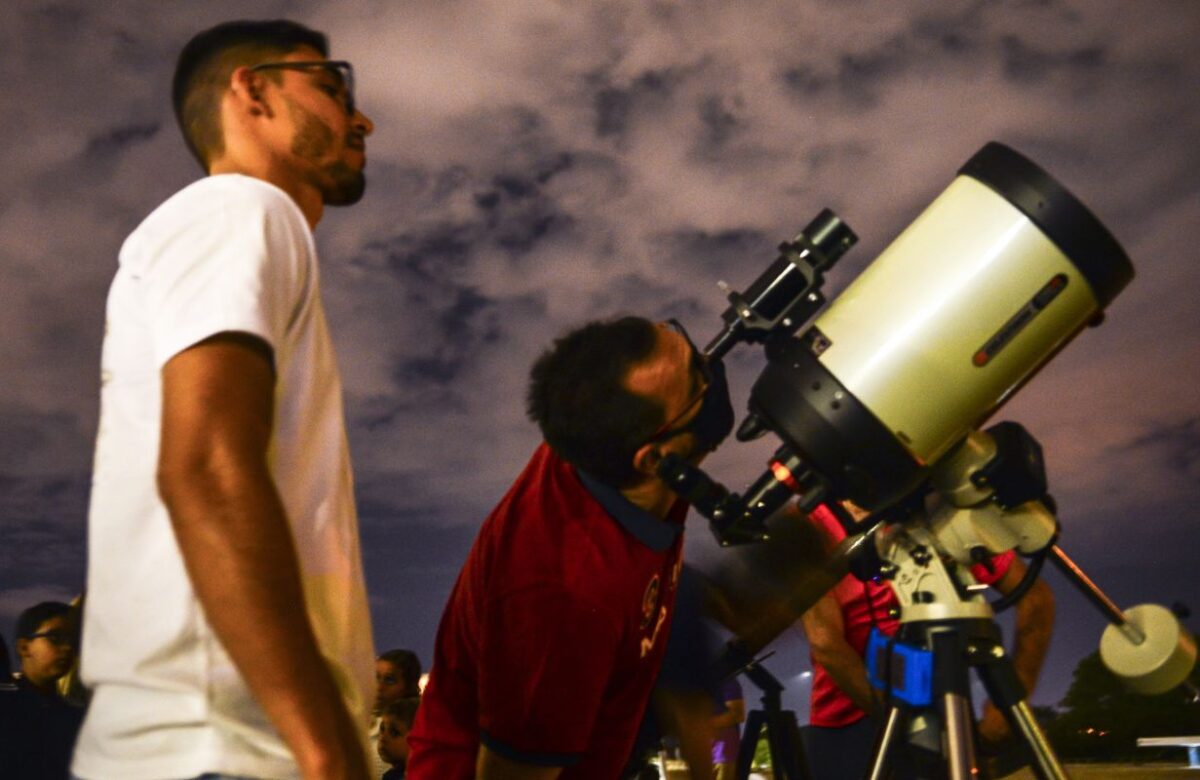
x=999, y=273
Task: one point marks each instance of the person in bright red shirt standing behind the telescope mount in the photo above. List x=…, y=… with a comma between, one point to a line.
x=843, y=719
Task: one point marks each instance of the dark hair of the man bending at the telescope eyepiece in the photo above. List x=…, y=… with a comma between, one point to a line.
x=579, y=399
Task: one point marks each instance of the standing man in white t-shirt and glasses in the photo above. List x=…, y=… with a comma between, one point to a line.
x=227, y=629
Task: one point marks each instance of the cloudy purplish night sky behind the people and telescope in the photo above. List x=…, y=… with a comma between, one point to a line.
x=543, y=163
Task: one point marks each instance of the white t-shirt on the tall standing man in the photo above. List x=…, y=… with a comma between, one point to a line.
x=227, y=254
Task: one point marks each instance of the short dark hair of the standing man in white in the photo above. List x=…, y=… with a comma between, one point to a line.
x=211, y=58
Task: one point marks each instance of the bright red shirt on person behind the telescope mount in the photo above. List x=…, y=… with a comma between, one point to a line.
x=865, y=605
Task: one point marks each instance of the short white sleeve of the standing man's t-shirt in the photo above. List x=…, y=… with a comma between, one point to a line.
x=231, y=262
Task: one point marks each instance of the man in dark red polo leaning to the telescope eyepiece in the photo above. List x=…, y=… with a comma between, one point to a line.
x=555, y=632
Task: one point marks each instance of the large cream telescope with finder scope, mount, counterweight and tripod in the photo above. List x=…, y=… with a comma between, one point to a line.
x=878, y=399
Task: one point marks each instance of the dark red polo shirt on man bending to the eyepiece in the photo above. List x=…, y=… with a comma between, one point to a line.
x=555, y=632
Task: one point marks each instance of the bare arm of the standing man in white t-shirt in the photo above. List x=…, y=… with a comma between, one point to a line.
x=237, y=545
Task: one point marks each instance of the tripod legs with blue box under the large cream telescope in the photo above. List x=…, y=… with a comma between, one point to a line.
x=944, y=723
